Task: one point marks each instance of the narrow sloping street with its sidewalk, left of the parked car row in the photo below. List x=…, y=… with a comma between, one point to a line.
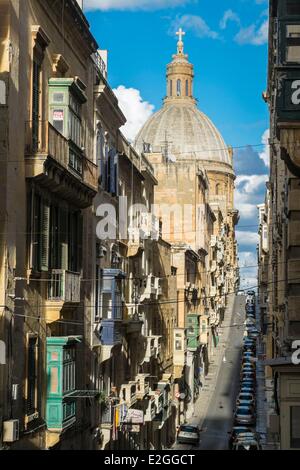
x=218, y=419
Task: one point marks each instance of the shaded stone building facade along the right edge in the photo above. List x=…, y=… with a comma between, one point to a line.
x=279, y=284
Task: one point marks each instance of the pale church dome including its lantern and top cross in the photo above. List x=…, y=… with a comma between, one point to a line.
x=180, y=130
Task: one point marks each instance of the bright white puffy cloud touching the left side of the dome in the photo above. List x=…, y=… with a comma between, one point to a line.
x=134, y=108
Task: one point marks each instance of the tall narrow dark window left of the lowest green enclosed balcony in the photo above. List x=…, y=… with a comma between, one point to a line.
x=31, y=376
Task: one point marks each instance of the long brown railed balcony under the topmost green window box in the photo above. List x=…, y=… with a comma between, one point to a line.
x=50, y=160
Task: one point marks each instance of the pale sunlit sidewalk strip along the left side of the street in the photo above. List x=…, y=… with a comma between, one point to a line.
x=203, y=402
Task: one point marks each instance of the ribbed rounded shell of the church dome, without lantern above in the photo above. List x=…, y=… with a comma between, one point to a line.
x=190, y=134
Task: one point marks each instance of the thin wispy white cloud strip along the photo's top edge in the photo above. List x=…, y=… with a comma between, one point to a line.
x=106, y=5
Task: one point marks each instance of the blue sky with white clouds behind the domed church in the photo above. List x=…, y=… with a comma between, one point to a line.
x=227, y=42
